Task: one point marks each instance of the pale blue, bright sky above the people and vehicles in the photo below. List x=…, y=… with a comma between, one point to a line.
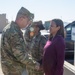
x=43, y=9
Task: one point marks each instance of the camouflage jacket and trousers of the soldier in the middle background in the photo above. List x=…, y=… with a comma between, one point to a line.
x=35, y=45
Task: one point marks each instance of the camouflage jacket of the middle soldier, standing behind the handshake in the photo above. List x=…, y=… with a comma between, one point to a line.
x=35, y=45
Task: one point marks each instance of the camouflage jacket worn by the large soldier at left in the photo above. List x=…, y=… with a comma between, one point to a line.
x=13, y=51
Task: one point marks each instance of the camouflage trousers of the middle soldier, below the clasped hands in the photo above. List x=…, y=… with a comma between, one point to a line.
x=32, y=71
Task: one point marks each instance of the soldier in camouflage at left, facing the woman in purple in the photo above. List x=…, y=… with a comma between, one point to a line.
x=14, y=55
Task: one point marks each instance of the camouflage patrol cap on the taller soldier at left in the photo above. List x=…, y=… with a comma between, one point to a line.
x=24, y=12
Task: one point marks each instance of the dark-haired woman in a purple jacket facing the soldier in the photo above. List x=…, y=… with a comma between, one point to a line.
x=53, y=58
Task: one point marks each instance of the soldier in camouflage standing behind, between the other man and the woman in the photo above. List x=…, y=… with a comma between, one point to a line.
x=35, y=42
